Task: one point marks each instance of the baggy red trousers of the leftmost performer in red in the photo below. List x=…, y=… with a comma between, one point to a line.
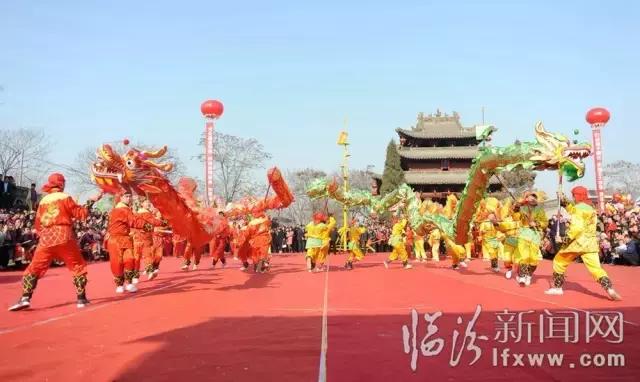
x=68, y=252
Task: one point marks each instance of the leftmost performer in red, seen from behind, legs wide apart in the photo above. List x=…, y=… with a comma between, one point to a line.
x=54, y=226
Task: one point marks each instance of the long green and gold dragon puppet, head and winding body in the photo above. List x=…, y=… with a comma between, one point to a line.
x=550, y=151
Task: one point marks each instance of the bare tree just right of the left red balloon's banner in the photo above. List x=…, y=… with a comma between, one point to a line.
x=236, y=160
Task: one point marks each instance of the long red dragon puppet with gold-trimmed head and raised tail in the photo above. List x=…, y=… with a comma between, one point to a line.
x=136, y=171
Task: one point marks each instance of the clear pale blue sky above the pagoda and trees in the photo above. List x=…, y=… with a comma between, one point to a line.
x=289, y=72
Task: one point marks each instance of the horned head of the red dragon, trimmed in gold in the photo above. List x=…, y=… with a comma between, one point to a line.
x=134, y=171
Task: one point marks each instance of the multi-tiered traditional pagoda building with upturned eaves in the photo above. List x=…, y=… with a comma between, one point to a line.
x=437, y=152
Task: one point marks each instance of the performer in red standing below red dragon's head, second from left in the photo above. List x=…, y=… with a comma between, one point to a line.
x=120, y=244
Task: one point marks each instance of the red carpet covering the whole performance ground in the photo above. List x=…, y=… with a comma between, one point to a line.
x=226, y=325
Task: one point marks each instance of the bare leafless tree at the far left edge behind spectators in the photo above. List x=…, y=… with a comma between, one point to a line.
x=23, y=153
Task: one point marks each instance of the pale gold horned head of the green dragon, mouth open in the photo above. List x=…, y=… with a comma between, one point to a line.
x=555, y=151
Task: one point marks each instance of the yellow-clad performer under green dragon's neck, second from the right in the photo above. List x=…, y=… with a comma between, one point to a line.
x=533, y=222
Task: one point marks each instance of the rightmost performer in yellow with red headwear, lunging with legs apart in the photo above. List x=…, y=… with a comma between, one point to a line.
x=580, y=242
